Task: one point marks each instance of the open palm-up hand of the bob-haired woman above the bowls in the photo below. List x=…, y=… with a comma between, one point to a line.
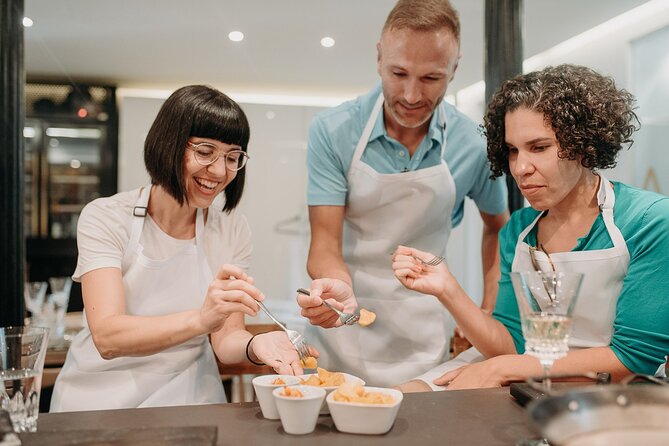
x=275, y=350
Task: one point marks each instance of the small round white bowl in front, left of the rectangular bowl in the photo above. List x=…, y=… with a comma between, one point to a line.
x=299, y=414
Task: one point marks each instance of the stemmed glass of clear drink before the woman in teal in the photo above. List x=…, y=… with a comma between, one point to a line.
x=546, y=302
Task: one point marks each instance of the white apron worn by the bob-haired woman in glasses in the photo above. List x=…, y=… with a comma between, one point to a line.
x=184, y=374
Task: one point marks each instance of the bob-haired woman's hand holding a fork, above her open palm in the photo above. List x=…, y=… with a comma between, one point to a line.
x=231, y=291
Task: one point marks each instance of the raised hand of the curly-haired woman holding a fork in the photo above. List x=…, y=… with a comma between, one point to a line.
x=416, y=276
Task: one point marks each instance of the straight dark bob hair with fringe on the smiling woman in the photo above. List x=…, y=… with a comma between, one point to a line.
x=194, y=111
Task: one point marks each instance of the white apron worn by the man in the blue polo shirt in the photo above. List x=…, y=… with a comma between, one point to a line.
x=412, y=331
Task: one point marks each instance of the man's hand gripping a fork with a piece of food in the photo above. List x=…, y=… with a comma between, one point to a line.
x=336, y=292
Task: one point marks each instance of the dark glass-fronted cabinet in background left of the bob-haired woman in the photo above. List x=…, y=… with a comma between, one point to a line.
x=71, y=152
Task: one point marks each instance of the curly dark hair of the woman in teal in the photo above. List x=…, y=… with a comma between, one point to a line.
x=592, y=119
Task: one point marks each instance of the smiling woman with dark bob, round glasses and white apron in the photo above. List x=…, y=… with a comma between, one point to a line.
x=163, y=271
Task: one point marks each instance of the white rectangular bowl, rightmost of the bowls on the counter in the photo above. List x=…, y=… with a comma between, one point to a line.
x=362, y=418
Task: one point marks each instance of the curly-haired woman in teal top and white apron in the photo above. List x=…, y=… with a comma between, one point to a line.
x=553, y=130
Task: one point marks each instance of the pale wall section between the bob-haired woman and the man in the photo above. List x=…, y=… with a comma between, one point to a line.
x=275, y=201
